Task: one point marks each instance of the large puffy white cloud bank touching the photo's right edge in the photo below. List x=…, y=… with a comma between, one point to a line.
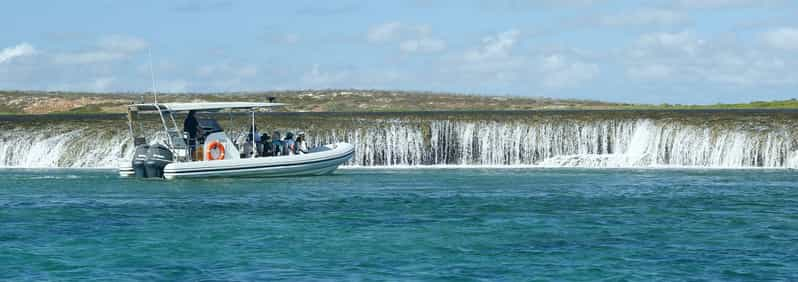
x=684, y=57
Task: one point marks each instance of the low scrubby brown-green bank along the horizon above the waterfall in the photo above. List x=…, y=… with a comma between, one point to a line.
x=347, y=100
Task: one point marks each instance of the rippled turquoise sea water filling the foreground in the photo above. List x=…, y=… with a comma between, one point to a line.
x=438, y=224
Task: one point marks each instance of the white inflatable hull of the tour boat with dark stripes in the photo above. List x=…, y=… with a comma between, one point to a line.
x=320, y=162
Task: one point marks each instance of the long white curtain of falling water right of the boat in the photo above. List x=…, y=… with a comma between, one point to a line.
x=572, y=143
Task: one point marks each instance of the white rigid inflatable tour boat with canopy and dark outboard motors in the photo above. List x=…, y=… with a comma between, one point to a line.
x=174, y=159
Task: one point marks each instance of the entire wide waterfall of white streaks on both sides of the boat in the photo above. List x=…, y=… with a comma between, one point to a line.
x=548, y=142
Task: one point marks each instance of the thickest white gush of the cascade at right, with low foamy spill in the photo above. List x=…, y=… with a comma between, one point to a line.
x=675, y=144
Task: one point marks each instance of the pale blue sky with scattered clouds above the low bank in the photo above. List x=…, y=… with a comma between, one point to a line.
x=680, y=51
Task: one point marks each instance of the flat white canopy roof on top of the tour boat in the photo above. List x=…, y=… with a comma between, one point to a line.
x=208, y=106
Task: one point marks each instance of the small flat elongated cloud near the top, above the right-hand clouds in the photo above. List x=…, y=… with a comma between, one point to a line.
x=644, y=17
